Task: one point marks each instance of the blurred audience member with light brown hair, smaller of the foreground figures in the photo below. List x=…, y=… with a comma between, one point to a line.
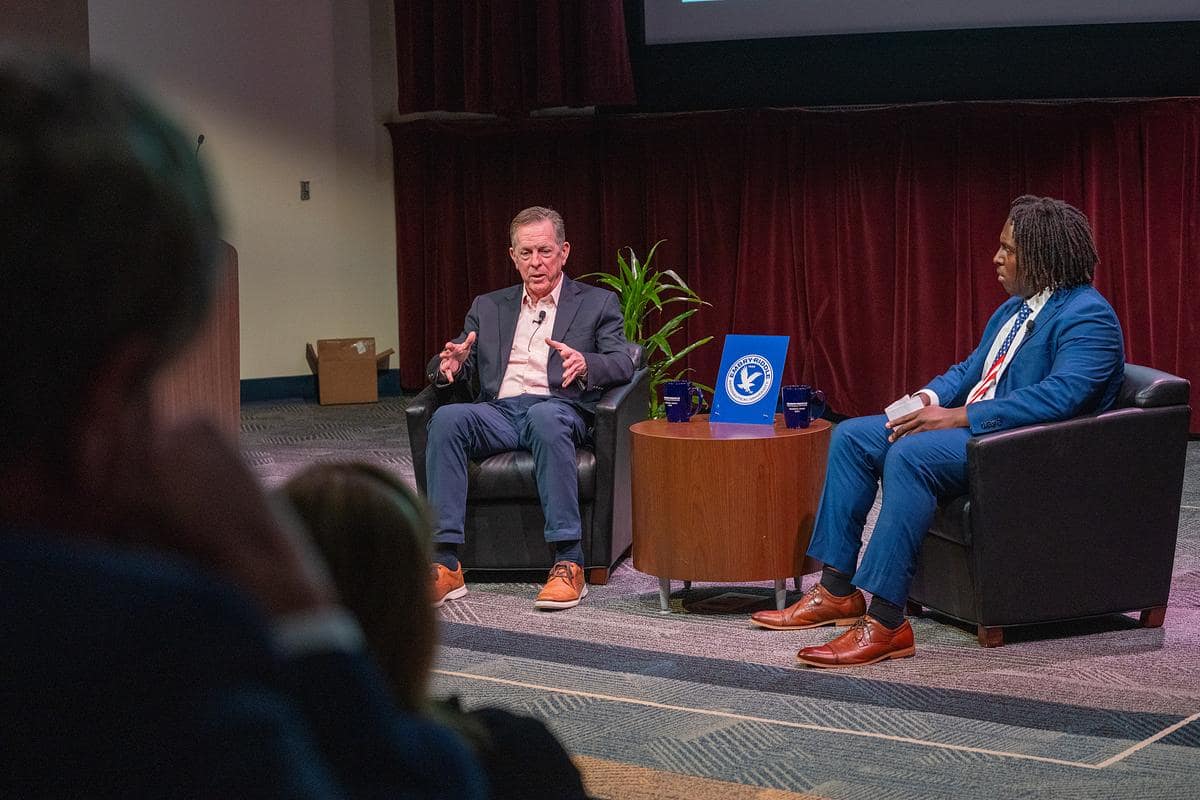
x=375, y=534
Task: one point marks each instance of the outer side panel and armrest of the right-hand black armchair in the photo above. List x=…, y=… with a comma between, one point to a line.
x=1094, y=501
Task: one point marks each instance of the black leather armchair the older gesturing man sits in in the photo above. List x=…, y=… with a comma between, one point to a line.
x=505, y=519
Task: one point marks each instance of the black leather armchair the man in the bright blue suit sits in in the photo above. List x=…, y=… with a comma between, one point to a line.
x=1065, y=520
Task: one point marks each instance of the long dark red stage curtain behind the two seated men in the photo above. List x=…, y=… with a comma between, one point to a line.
x=866, y=236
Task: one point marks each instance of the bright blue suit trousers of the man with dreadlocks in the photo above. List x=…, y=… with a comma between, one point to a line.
x=915, y=473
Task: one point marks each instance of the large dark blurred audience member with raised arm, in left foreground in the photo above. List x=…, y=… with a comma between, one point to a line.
x=166, y=631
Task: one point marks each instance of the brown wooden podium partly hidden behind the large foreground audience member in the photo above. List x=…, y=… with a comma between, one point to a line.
x=206, y=380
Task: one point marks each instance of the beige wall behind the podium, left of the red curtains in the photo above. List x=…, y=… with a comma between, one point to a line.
x=283, y=92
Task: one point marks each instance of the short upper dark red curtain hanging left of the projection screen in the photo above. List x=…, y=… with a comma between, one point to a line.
x=507, y=57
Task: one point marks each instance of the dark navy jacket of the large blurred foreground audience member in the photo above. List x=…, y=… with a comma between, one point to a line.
x=129, y=675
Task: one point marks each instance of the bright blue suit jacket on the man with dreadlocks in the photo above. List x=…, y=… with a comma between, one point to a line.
x=1072, y=364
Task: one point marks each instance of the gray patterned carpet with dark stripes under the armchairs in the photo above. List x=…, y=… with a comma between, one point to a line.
x=698, y=705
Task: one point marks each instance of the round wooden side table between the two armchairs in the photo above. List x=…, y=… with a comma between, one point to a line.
x=723, y=502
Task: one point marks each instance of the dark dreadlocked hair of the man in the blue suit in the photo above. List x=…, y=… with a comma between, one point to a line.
x=1054, y=244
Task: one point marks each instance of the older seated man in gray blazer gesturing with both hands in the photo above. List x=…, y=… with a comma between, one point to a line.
x=543, y=352
